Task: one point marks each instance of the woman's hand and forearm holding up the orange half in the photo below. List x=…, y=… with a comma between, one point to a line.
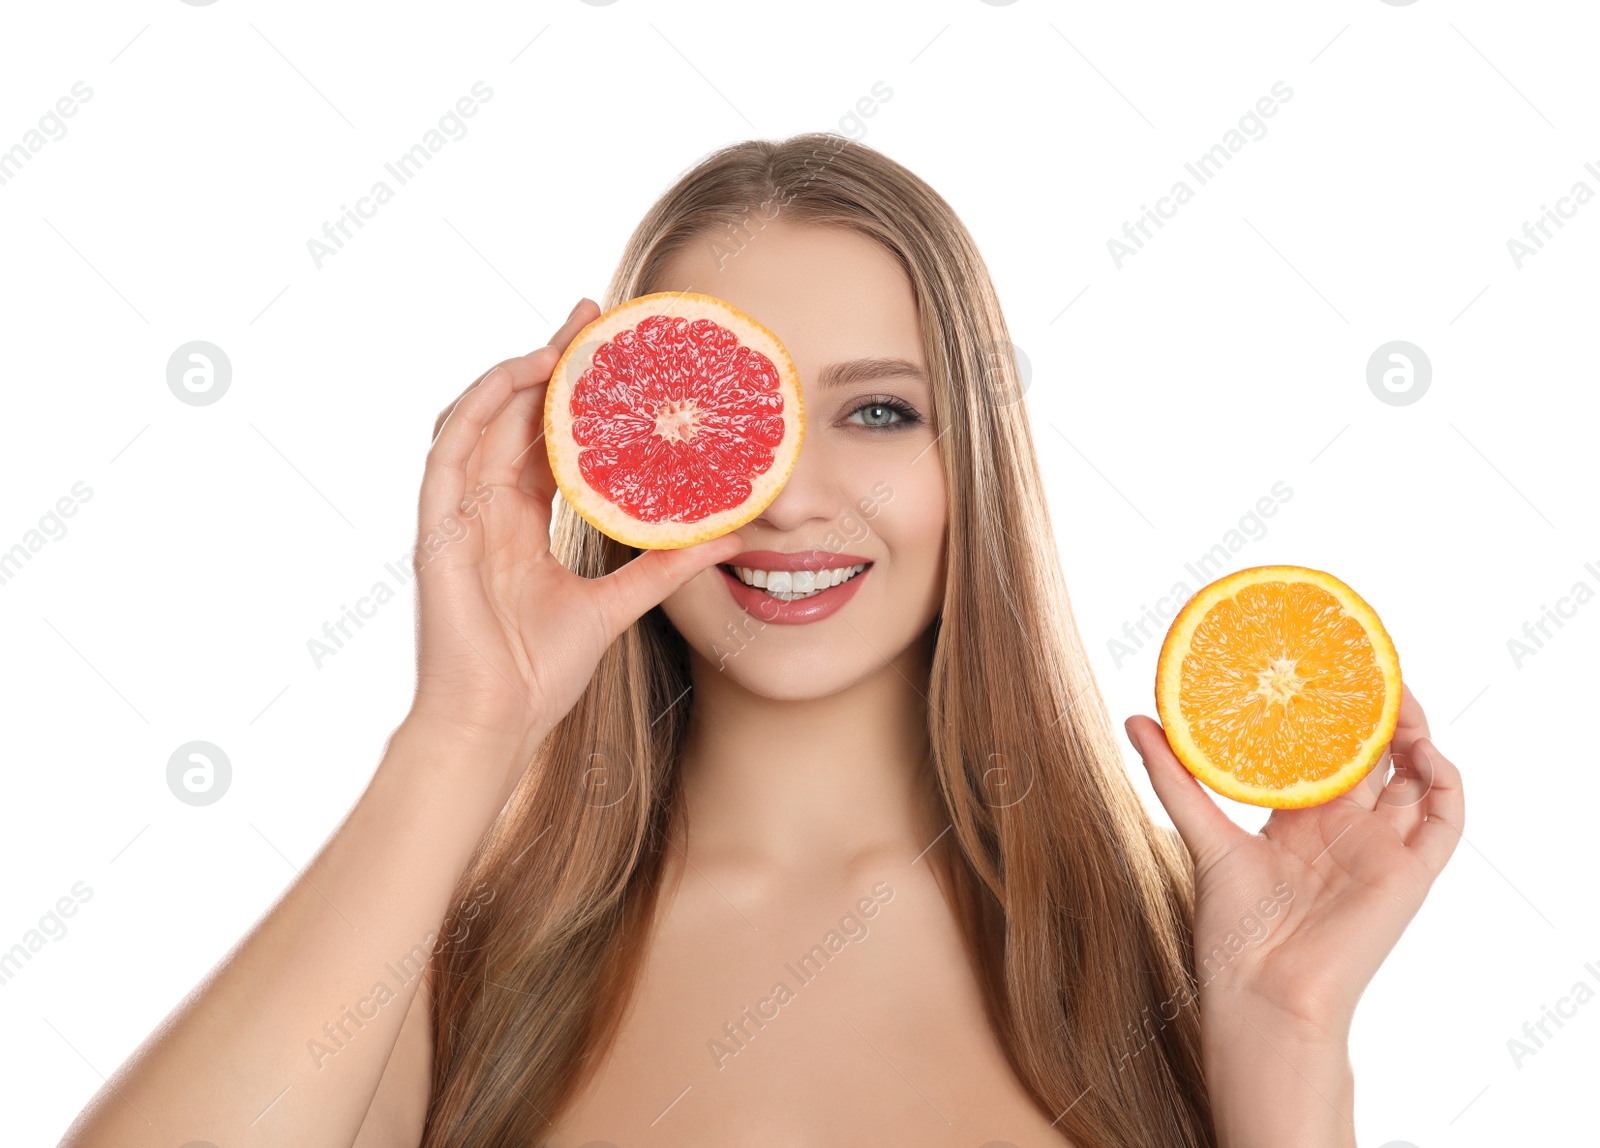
x=1294, y=922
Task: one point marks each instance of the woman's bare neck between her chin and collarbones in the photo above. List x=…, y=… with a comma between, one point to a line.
x=830, y=781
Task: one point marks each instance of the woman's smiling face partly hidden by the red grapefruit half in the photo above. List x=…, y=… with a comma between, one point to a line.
x=868, y=487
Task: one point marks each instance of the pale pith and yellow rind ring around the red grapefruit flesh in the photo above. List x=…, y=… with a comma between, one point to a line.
x=564, y=452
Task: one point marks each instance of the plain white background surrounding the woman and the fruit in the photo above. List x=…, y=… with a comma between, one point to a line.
x=1167, y=397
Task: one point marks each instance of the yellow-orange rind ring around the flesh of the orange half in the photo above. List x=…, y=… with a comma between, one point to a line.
x=1169, y=682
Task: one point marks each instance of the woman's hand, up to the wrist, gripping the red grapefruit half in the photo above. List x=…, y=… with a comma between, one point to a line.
x=508, y=637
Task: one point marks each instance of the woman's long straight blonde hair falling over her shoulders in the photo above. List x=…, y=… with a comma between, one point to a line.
x=1076, y=906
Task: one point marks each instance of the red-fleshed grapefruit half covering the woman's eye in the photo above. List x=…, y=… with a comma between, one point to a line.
x=673, y=420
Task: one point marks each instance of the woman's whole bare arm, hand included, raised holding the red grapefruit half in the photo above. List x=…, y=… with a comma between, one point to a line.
x=289, y=1037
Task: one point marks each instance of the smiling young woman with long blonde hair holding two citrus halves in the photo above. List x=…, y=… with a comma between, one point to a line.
x=644, y=867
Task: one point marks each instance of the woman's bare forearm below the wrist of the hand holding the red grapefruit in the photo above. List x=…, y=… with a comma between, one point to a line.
x=286, y=1042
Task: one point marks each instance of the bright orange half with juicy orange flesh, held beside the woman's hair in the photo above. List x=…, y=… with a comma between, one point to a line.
x=1279, y=687
